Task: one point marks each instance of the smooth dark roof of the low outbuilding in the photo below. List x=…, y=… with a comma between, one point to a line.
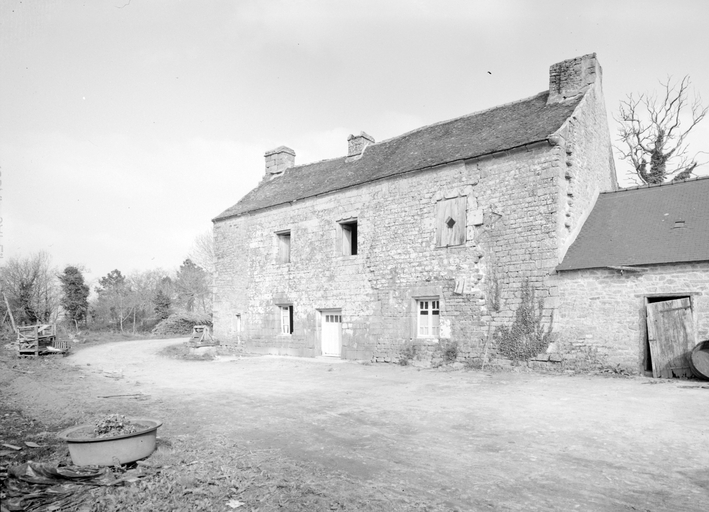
x=642, y=226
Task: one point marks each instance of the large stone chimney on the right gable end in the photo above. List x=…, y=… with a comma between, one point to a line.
x=572, y=77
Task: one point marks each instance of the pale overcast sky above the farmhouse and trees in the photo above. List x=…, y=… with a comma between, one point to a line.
x=125, y=126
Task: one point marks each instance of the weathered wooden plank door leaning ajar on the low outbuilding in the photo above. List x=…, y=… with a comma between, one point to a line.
x=670, y=332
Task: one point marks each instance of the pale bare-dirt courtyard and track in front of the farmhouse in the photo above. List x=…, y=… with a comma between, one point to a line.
x=459, y=440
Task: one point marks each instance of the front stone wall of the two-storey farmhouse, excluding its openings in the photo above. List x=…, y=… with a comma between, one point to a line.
x=511, y=228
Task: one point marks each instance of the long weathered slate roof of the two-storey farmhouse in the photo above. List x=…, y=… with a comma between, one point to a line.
x=498, y=129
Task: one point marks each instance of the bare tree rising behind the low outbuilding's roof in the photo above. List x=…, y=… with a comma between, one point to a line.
x=653, y=133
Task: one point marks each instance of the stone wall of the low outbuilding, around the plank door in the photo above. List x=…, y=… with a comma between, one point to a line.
x=601, y=312
